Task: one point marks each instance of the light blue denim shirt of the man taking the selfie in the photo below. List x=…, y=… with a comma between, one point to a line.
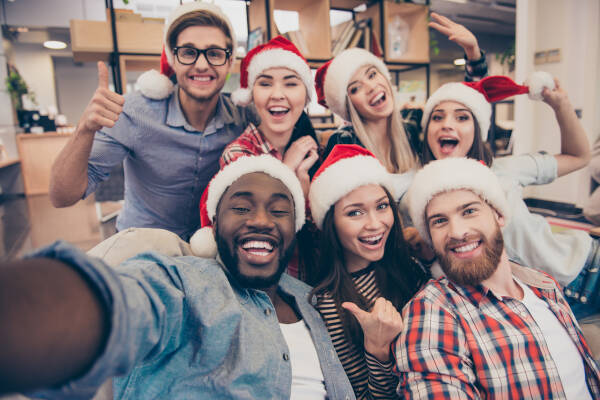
x=181, y=328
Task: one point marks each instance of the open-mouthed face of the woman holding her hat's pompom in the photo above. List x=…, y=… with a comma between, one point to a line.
x=451, y=130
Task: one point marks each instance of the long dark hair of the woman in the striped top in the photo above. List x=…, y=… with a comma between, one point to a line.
x=397, y=275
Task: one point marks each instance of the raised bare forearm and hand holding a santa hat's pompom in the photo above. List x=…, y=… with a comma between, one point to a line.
x=574, y=144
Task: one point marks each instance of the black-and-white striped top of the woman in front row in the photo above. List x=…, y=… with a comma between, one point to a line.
x=370, y=378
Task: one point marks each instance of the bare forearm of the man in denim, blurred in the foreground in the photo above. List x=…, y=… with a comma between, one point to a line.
x=52, y=324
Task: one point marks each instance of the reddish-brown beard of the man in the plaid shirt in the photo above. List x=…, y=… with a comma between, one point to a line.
x=474, y=271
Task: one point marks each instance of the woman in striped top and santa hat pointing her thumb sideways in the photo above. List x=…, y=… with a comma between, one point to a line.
x=365, y=274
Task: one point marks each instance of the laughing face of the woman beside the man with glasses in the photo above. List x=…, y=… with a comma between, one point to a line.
x=279, y=97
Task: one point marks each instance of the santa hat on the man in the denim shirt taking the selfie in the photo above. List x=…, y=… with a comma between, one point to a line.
x=203, y=242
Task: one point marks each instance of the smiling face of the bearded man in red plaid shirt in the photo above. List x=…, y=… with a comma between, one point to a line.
x=466, y=236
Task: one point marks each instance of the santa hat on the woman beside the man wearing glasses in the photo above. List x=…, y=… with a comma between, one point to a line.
x=277, y=52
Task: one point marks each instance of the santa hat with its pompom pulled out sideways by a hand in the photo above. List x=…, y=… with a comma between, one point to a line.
x=477, y=96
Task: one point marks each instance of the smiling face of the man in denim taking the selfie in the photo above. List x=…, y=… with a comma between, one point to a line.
x=255, y=229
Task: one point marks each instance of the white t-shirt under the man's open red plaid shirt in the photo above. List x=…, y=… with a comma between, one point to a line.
x=566, y=357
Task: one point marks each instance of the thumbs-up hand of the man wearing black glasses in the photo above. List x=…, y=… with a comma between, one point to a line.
x=104, y=108
